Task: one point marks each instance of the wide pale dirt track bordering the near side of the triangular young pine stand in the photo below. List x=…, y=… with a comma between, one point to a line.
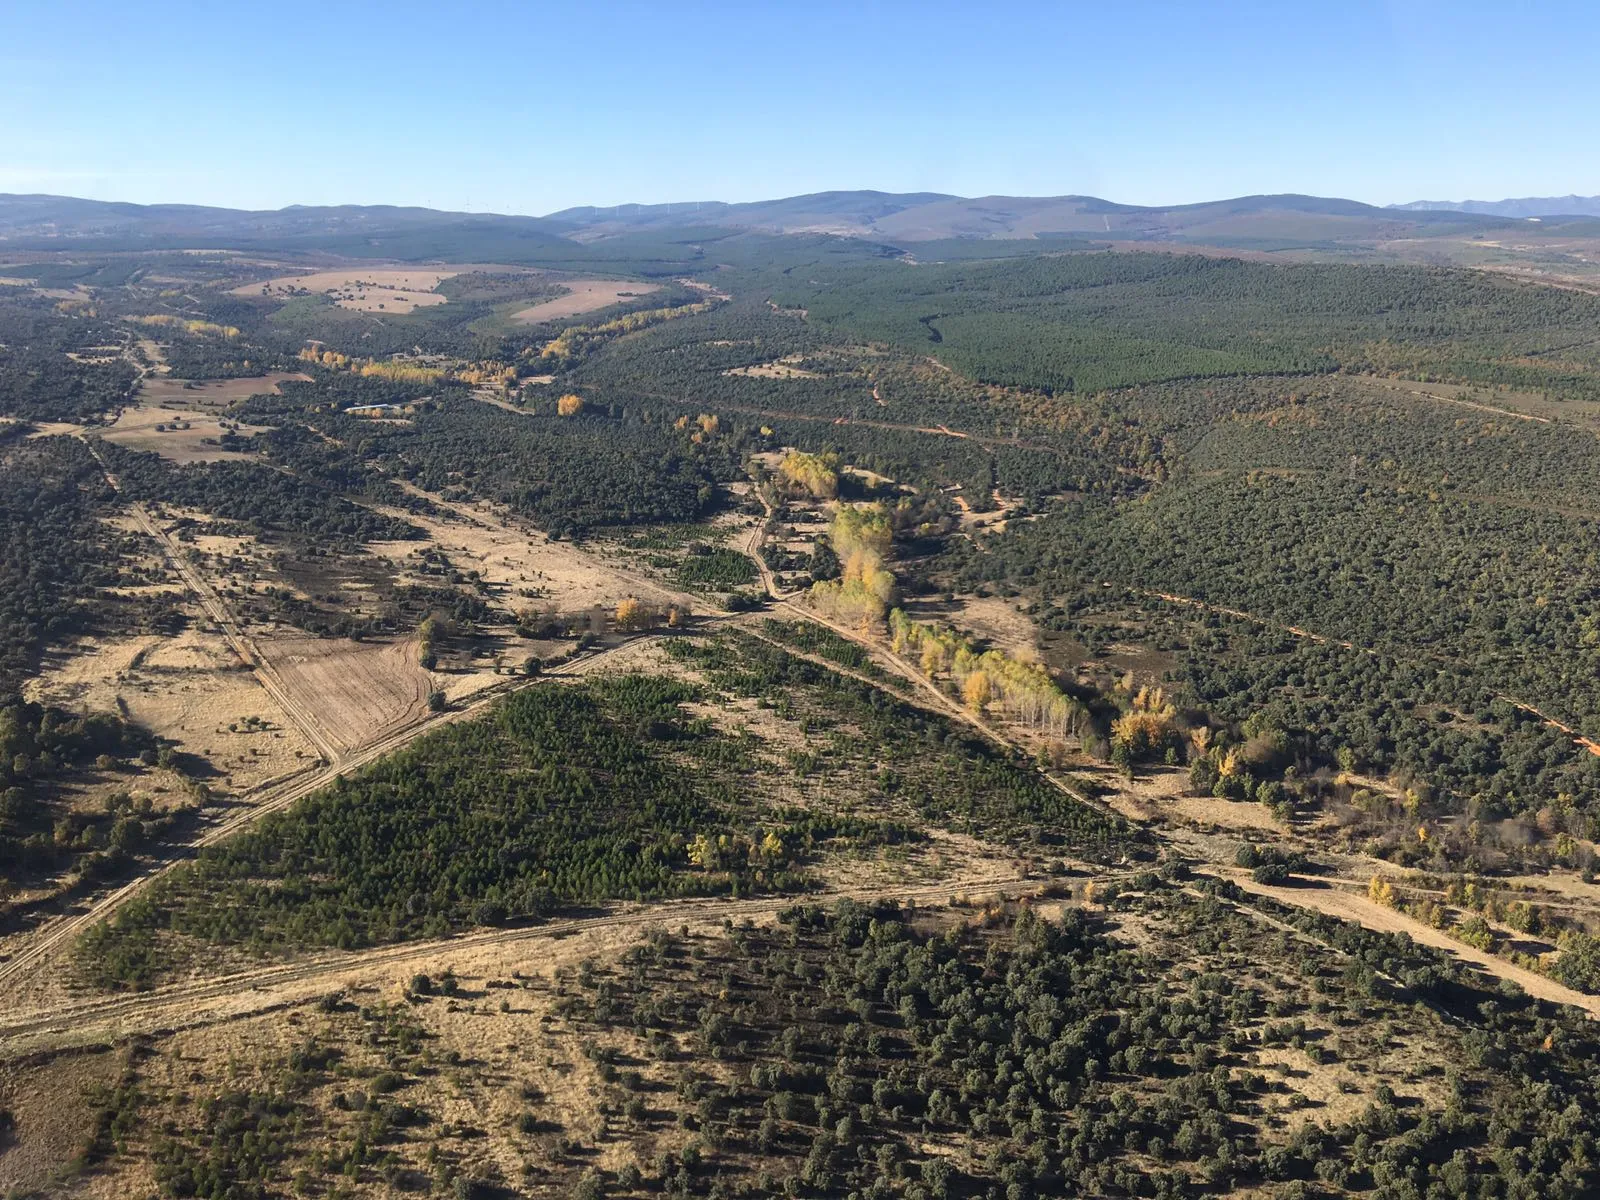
x=247, y=994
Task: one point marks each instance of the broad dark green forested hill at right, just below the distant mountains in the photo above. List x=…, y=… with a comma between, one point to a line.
x=1086, y=322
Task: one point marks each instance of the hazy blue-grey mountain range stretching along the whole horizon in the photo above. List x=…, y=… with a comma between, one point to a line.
x=1266, y=223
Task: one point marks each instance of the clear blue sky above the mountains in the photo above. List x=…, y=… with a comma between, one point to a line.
x=529, y=108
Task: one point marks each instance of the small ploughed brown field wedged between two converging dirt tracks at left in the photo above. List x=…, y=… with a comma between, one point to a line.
x=354, y=692
